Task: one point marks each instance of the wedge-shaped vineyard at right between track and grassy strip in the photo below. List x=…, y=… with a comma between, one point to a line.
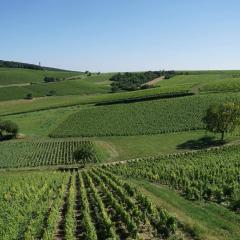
x=204, y=175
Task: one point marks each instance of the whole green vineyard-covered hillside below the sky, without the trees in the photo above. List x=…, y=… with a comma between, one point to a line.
x=154, y=172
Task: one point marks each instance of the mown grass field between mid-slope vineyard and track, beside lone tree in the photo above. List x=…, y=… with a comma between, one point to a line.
x=128, y=147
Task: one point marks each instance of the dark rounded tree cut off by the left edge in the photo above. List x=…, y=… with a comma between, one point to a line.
x=8, y=129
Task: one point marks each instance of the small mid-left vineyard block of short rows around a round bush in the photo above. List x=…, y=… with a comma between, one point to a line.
x=35, y=153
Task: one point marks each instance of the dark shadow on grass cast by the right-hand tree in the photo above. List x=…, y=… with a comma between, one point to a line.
x=201, y=143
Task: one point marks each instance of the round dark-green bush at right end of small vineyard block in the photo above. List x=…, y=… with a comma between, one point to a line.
x=85, y=153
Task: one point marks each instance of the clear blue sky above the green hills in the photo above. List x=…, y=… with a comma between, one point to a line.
x=122, y=35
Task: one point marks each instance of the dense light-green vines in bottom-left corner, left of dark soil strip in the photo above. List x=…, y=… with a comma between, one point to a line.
x=20, y=193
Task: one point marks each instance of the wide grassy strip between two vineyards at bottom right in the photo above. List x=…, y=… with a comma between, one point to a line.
x=204, y=220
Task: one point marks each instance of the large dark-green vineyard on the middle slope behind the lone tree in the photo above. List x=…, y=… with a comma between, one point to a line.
x=152, y=117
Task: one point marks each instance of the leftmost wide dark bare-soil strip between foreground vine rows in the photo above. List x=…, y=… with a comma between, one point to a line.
x=60, y=233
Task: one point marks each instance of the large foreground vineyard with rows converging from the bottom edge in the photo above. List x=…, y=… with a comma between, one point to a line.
x=91, y=204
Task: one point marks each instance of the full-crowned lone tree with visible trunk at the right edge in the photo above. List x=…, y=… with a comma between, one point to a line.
x=222, y=118
